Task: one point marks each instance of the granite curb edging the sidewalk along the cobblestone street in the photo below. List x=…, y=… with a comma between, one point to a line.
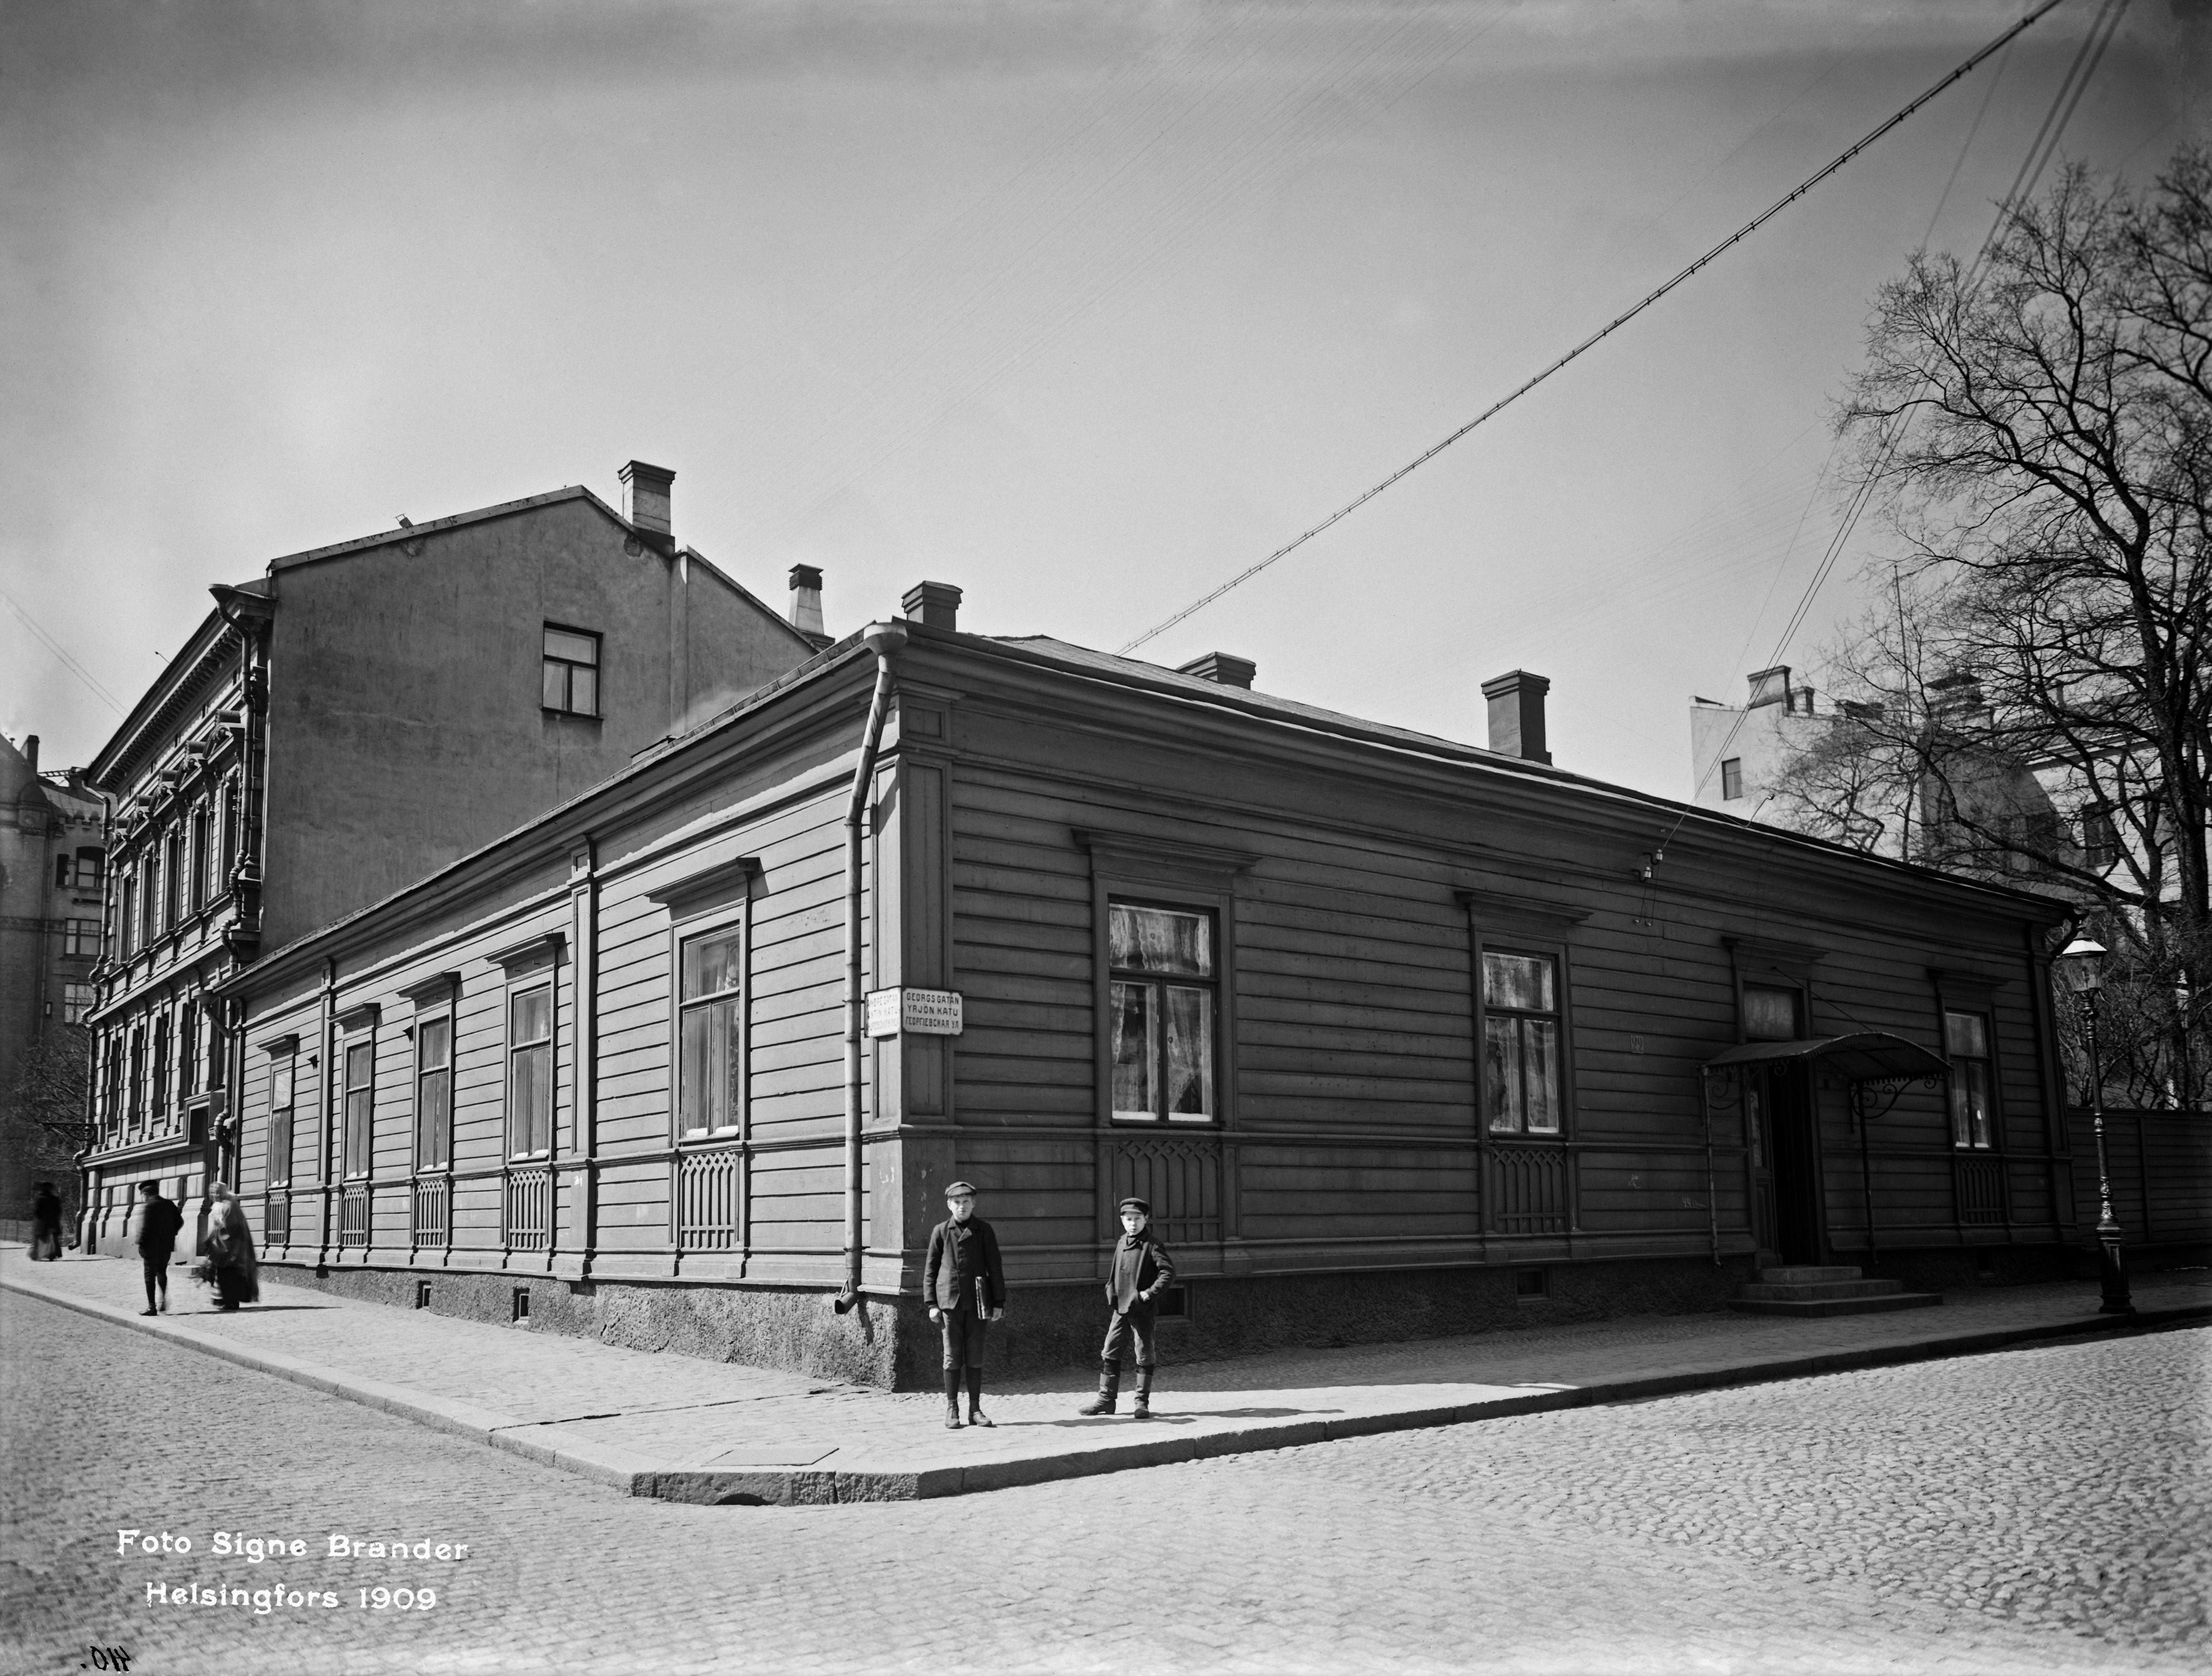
x=643, y=1476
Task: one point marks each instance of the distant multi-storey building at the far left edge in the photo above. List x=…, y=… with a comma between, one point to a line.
x=50, y=939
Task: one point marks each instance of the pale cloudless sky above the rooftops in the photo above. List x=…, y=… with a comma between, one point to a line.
x=1078, y=306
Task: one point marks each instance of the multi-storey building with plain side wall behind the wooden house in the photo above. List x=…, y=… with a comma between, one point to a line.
x=357, y=717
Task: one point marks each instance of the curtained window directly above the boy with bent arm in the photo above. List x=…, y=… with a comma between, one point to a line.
x=1162, y=1014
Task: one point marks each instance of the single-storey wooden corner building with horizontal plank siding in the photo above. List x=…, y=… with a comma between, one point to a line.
x=1399, y=1036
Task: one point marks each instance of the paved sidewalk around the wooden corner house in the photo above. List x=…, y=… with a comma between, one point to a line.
x=713, y=1432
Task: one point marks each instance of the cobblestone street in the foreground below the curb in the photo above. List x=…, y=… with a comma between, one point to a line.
x=2041, y=1509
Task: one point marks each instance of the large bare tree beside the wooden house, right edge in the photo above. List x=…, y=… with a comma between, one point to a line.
x=2041, y=439
